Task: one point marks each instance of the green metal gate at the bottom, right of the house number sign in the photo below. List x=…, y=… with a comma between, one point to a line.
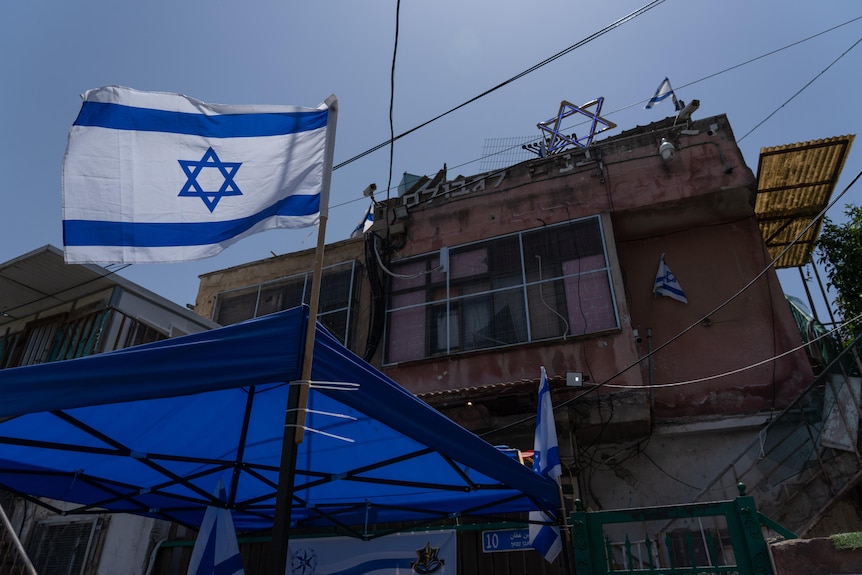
x=673, y=539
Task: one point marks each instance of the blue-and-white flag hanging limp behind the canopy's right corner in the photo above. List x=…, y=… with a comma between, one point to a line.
x=546, y=461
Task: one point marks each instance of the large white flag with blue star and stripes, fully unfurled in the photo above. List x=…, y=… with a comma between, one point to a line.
x=153, y=177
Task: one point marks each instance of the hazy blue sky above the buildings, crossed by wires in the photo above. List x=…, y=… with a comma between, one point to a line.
x=278, y=52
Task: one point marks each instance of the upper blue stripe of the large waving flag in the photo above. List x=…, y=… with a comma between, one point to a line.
x=119, y=117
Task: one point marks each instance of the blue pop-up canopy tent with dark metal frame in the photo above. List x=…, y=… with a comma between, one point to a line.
x=149, y=430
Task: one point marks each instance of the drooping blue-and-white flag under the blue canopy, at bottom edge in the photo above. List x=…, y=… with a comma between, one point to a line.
x=216, y=550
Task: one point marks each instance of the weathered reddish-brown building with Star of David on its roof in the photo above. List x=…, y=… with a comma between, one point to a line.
x=467, y=285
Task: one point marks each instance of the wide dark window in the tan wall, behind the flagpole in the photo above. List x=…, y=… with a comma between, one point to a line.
x=334, y=310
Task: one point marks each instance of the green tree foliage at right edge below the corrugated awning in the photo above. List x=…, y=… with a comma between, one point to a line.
x=839, y=250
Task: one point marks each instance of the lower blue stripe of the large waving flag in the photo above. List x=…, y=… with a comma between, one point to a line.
x=151, y=235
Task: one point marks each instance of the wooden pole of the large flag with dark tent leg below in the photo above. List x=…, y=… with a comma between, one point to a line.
x=297, y=397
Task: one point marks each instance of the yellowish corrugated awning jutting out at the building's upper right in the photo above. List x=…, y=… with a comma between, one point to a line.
x=794, y=183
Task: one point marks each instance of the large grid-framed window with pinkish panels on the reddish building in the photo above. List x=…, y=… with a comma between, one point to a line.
x=553, y=282
